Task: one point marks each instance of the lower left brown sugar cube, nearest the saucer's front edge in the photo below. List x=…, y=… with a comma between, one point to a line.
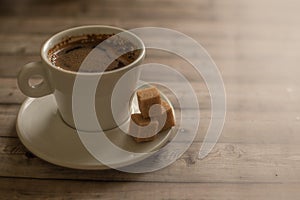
x=141, y=129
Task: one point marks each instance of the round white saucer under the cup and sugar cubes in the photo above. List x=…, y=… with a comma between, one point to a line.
x=42, y=131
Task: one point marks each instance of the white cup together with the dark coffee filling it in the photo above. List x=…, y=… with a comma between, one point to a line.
x=86, y=53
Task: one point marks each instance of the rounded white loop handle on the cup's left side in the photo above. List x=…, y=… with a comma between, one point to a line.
x=34, y=69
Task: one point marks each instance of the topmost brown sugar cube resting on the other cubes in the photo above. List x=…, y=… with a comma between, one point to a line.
x=146, y=98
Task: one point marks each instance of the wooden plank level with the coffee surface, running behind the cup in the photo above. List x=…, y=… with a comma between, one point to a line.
x=30, y=44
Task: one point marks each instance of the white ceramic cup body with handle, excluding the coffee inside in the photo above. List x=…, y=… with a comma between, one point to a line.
x=60, y=82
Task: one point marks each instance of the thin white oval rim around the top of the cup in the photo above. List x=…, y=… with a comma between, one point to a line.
x=44, y=50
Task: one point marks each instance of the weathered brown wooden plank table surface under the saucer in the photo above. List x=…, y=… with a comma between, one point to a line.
x=256, y=45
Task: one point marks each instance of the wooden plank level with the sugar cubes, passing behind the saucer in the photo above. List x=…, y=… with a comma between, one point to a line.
x=243, y=127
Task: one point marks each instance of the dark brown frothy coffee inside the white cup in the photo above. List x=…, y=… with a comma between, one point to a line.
x=70, y=53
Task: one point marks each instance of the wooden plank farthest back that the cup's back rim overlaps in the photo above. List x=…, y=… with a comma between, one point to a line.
x=205, y=27
